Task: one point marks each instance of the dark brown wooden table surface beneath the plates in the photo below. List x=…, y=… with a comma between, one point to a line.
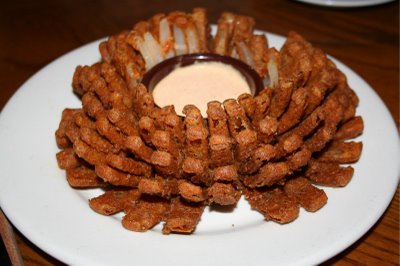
x=33, y=33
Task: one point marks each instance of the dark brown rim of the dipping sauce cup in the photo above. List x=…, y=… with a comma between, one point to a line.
x=162, y=69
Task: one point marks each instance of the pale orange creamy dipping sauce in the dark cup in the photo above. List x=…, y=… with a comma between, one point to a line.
x=199, y=84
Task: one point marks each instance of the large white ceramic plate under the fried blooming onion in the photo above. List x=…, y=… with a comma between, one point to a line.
x=36, y=197
